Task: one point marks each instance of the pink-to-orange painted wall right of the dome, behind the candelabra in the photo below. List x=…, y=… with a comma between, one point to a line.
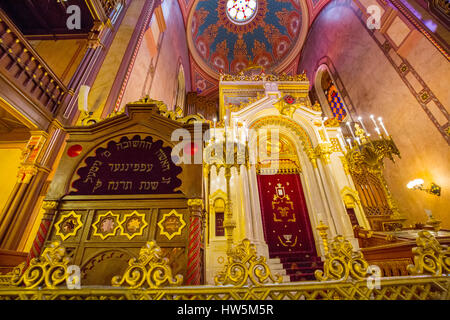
x=375, y=86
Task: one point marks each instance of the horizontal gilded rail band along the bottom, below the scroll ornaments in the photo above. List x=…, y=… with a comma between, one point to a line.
x=395, y=288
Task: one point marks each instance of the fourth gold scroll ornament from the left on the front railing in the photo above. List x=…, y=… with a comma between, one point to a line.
x=342, y=262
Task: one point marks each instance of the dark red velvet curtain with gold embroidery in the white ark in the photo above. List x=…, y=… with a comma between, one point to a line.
x=285, y=216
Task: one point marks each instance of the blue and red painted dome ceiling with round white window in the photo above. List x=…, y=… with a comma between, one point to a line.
x=230, y=35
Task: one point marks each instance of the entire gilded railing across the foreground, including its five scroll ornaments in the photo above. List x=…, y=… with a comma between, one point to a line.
x=346, y=276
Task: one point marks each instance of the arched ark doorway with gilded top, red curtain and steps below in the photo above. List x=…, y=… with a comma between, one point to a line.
x=285, y=217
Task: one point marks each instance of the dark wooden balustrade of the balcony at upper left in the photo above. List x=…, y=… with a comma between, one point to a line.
x=22, y=65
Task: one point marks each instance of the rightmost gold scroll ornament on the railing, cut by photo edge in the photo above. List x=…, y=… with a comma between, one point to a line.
x=430, y=257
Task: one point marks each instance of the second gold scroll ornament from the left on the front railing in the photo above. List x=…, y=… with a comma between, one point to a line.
x=149, y=270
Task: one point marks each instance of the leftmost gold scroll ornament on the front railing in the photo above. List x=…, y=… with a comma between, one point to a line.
x=48, y=271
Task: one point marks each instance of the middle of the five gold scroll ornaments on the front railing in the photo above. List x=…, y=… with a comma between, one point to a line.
x=244, y=267
